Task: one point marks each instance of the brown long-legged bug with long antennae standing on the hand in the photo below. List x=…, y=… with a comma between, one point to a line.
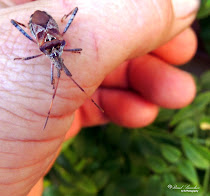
x=51, y=43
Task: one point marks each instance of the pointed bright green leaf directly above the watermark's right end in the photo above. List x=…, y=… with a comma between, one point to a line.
x=186, y=169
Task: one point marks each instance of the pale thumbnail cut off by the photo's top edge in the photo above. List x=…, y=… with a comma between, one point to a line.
x=184, y=8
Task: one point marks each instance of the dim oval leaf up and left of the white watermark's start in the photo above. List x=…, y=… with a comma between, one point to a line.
x=156, y=164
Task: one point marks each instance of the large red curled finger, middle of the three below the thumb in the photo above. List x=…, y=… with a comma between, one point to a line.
x=161, y=84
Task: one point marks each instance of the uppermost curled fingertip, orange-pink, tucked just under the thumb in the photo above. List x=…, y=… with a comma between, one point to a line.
x=180, y=49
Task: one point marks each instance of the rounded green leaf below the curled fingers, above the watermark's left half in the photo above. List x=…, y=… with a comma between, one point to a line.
x=170, y=153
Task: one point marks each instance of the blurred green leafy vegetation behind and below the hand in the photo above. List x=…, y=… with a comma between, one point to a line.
x=153, y=161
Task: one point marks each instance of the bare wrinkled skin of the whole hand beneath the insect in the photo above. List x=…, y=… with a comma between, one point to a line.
x=130, y=60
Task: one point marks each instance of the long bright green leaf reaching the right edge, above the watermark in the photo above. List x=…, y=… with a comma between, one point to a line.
x=194, y=155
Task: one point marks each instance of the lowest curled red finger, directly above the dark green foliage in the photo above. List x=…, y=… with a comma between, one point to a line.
x=128, y=109
